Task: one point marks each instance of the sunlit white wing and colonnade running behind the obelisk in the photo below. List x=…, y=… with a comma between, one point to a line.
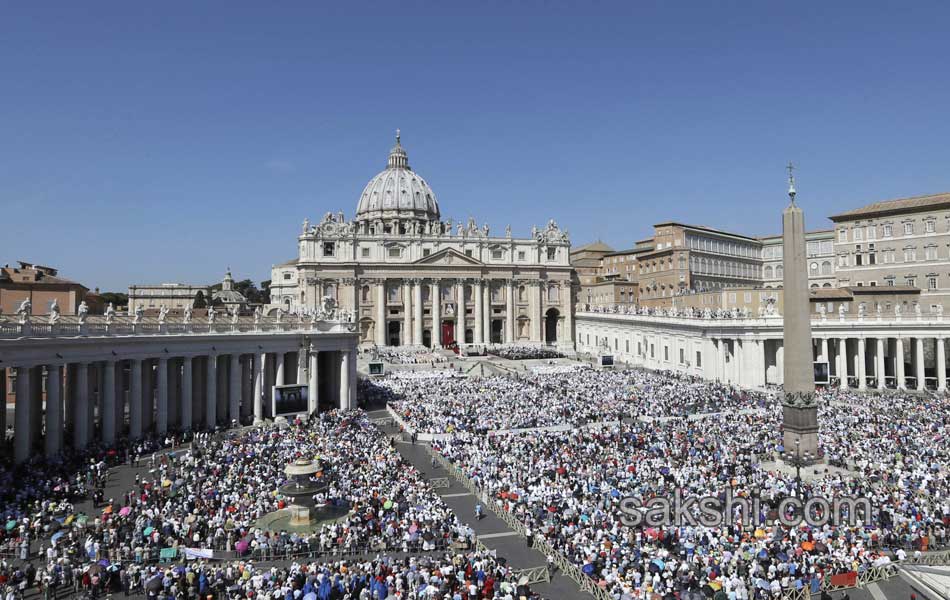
x=859, y=352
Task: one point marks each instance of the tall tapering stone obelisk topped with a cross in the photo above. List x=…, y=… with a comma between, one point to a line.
x=799, y=406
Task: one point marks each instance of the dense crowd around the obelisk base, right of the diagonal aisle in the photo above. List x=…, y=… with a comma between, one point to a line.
x=566, y=486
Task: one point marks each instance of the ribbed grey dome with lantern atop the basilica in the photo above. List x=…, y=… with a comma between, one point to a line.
x=397, y=192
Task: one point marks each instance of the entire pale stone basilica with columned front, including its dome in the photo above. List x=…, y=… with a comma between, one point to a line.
x=409, y=278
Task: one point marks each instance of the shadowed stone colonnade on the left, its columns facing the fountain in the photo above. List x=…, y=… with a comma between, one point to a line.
x=95, y=383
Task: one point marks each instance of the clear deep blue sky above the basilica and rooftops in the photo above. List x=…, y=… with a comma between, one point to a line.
x=151, y=142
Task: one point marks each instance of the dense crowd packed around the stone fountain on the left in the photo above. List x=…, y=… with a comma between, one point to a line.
x=208, y=500
